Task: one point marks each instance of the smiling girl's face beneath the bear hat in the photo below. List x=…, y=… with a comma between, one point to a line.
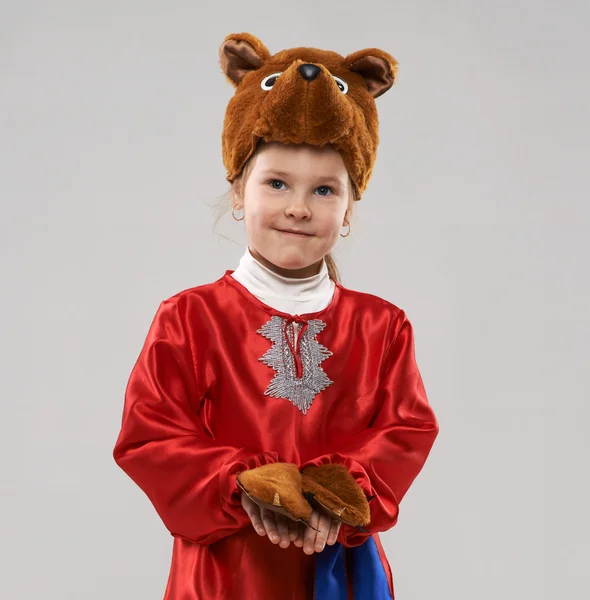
x=295, y=187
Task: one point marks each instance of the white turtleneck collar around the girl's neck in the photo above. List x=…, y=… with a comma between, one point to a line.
x=286, y=294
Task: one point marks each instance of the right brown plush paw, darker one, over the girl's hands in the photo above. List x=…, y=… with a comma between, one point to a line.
x=335, y=491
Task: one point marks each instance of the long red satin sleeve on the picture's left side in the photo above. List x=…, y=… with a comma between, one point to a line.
x=164, y=448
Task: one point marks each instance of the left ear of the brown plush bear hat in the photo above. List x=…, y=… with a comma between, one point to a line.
x=241, y=53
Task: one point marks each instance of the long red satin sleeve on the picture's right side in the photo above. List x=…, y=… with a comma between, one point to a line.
x=387, y=457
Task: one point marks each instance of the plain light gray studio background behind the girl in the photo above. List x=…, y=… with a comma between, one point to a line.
x=476, y=222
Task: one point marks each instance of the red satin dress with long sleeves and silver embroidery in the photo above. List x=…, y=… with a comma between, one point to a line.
x=221, y=386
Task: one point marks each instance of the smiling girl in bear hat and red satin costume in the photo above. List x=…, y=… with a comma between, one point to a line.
x=276, y=363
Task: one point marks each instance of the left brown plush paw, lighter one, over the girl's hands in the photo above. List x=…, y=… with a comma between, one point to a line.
x=277, y=486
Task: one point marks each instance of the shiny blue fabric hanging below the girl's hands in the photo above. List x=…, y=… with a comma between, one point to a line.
x=368, y=573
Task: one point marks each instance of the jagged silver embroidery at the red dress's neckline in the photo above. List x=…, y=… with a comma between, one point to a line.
x=299, y=390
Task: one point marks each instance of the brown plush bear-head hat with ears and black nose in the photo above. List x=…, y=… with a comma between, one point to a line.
x=304, y=95
